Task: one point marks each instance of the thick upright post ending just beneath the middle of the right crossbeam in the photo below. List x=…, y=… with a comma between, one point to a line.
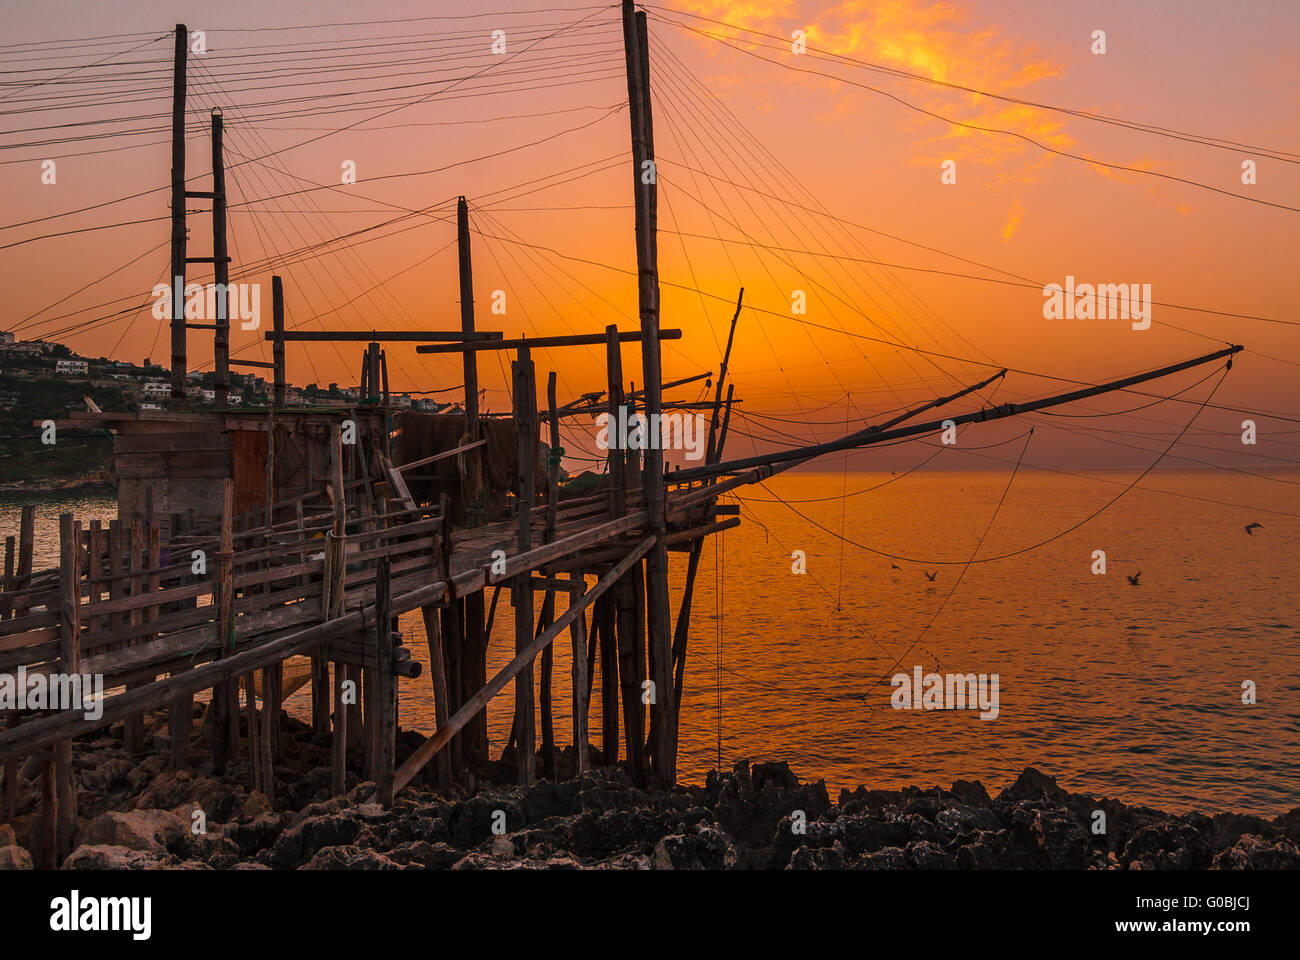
x=522, y=591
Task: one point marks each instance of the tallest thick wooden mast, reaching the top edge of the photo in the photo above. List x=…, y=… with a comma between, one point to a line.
x=638, y=59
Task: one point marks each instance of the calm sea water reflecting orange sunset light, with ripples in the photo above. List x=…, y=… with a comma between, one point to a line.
x=1119, y=690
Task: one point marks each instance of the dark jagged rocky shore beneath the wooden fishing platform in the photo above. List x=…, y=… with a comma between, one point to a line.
x=137, y=815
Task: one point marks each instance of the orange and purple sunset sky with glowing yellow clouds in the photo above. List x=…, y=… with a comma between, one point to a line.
x=778, y=172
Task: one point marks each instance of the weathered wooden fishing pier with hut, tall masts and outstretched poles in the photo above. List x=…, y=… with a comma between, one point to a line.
x=258, y=551
